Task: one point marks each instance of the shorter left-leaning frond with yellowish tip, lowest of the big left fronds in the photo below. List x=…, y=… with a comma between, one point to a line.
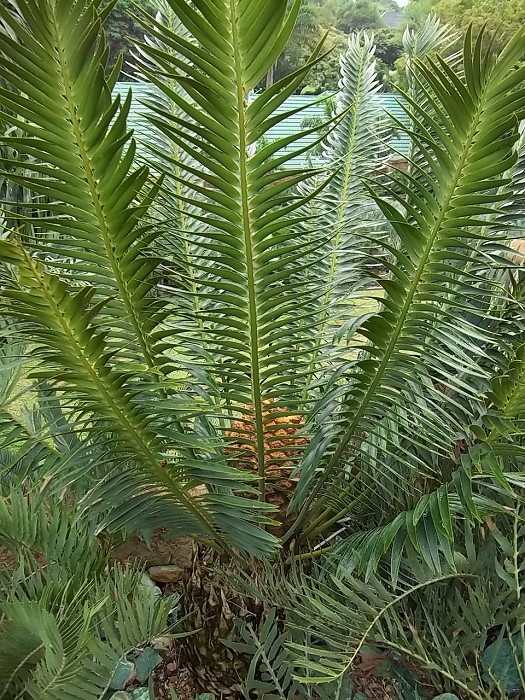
x=76, y=354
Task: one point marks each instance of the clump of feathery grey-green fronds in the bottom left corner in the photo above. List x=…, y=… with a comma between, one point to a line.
x=67, y=624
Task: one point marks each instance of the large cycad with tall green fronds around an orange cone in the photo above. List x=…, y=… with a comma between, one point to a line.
x=180, y=317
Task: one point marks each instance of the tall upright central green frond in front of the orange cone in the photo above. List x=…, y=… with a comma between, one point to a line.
x=255, y=326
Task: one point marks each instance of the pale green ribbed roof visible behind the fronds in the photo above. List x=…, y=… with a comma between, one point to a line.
x=389, y=103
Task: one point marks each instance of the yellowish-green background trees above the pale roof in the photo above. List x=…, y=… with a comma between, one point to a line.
x=340, y=18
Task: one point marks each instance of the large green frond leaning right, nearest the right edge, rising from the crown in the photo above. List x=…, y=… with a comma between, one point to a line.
x=415, y=332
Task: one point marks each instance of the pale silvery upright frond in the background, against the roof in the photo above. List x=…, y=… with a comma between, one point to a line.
x=355, y=150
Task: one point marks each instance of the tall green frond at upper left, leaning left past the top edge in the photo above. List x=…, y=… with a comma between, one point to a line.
x=79, y=156
